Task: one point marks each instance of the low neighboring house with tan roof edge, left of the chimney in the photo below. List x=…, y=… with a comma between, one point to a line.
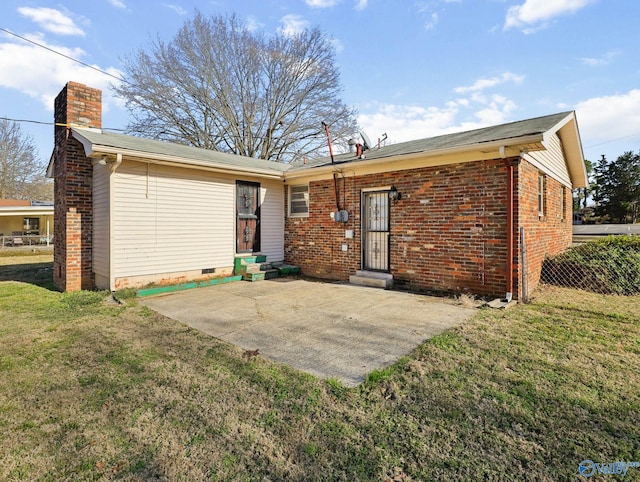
x=25, y=222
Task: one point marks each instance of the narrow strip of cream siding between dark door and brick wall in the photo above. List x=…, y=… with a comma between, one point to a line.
x=272, y=219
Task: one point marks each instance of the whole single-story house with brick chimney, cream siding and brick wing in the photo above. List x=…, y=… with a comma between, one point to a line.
x=450, y=213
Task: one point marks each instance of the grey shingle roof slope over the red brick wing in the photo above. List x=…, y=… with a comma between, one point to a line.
x=511, y=130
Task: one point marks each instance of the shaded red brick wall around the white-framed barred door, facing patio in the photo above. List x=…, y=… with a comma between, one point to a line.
x=448, y=232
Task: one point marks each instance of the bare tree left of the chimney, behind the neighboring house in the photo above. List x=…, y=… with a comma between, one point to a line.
x=21, y=172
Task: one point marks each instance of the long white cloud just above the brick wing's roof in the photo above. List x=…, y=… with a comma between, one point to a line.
x=410, y=122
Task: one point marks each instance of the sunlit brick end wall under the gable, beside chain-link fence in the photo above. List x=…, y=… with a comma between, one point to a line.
x=546, y=235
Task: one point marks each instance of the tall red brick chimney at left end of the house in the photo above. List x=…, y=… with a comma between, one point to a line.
x=76, y=105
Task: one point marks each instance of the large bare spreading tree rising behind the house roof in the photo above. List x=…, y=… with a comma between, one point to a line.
x=218, y=85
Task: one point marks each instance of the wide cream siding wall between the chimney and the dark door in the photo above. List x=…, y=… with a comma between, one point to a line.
x=170, y=220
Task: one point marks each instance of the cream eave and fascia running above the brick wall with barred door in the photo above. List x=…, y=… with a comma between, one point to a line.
x=499, y=147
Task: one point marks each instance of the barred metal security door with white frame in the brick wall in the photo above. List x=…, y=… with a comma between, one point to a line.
x=375, y=229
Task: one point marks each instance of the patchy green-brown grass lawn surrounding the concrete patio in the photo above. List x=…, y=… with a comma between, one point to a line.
x=96, y=391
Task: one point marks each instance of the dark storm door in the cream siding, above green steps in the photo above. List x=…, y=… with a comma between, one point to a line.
x=247, y=217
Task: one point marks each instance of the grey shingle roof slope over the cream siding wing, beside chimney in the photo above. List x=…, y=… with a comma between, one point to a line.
x=149, y=147
